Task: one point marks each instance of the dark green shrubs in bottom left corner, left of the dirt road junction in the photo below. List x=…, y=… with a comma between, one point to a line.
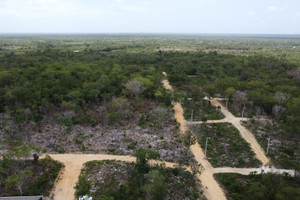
x=20, y=176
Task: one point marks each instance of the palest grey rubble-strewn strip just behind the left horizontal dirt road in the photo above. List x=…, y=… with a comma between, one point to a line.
x=122, y=140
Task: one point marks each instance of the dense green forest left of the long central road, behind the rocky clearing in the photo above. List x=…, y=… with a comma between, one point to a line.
x=40, y=81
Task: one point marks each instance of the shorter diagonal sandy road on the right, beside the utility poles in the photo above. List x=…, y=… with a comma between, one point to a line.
x=246, y=134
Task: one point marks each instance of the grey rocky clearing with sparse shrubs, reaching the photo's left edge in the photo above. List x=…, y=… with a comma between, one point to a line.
x=123, y=138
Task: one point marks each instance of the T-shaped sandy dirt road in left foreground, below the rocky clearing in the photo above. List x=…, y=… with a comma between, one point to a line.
x=64, y=187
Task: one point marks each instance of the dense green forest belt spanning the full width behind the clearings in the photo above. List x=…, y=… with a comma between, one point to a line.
x=49, y=75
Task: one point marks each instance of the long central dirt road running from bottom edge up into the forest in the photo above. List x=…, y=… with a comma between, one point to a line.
x=212, y=190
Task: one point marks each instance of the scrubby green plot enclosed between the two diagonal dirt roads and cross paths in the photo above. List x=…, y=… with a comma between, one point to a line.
x=225, y=146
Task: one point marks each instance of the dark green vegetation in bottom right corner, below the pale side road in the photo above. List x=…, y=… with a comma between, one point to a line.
x=260, y=186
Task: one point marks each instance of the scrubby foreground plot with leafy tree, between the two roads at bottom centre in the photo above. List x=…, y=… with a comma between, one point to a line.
x=120, y=180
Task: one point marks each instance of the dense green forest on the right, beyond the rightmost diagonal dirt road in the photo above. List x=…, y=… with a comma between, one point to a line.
x=262, y=84
